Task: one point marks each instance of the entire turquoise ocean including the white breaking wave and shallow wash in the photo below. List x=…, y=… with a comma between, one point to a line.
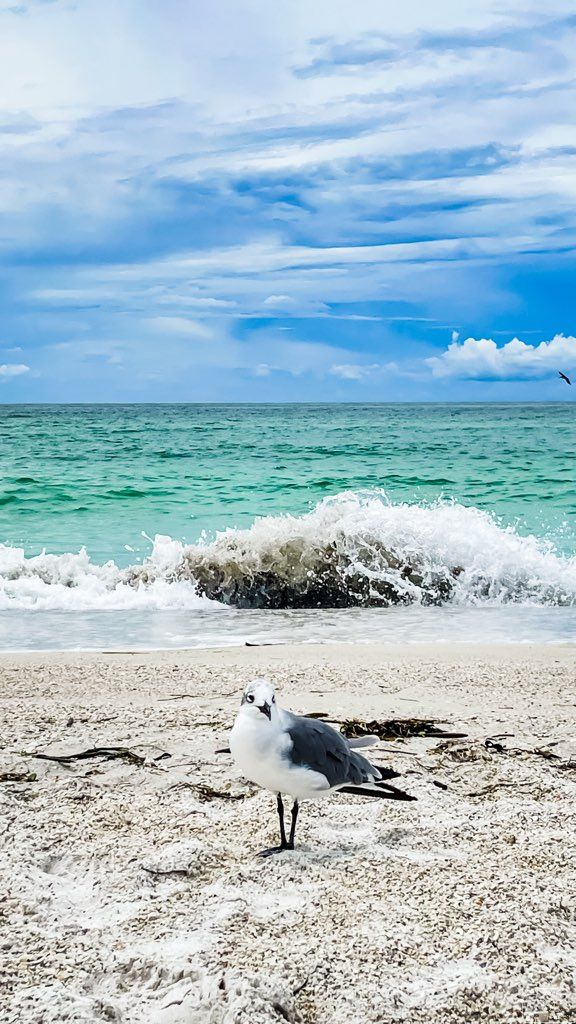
x=139, y=527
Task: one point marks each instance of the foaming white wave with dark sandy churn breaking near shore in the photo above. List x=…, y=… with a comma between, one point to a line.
x=353, y=550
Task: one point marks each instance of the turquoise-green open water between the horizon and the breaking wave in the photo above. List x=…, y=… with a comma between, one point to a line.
x=100, y=476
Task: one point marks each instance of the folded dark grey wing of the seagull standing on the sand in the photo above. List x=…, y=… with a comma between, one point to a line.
x=320, y=748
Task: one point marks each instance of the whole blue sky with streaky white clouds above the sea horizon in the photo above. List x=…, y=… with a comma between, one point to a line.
x=251, y=202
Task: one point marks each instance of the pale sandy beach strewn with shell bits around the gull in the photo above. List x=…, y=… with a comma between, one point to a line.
x=132, y=891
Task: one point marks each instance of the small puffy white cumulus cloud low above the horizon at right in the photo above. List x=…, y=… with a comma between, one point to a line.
x=482, y=359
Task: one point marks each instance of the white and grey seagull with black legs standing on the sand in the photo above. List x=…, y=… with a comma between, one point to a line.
x=300, y=757
